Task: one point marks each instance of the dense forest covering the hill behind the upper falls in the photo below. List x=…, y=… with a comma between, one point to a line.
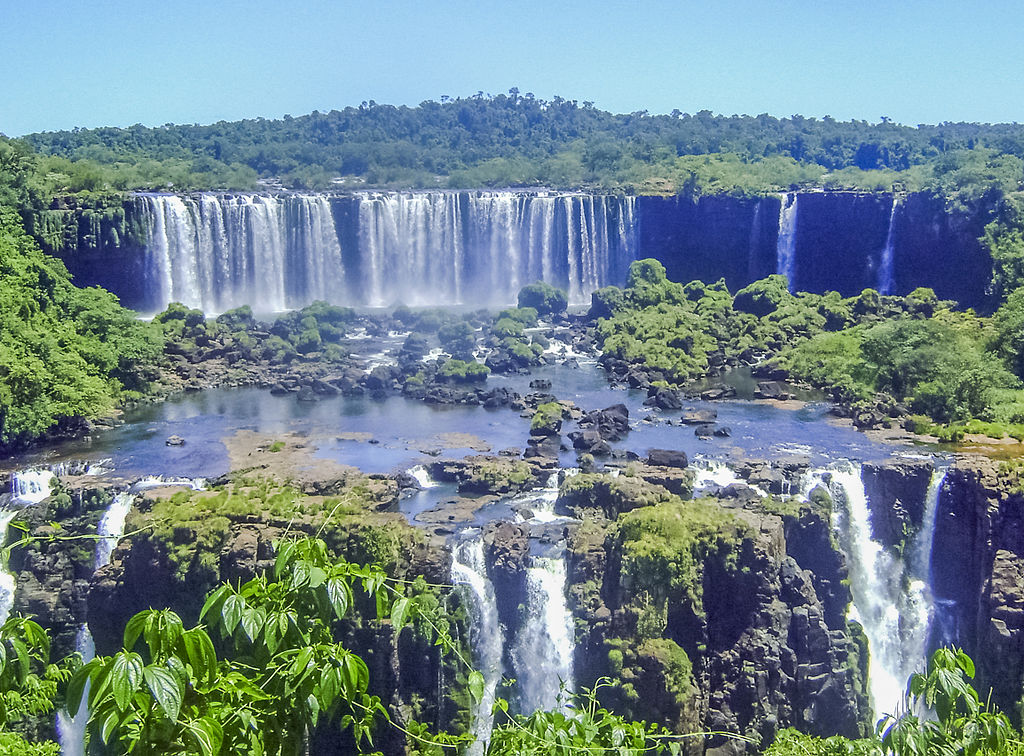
x=519, y=140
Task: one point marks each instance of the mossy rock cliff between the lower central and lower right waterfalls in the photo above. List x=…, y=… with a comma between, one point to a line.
x=750, y=638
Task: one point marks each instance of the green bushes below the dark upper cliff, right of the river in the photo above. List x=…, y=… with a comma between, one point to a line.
x=957, y=372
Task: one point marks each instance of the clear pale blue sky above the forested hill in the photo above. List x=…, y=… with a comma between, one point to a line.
x=117, y=63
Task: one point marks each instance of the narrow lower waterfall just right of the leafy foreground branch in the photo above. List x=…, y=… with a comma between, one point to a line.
x=470, y=573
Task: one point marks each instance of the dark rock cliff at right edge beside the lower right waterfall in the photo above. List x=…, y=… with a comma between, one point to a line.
x=978, y=575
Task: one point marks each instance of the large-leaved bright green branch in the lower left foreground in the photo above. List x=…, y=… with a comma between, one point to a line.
x=281, y=676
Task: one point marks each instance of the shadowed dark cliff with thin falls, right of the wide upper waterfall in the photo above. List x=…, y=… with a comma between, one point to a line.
x=840, y=238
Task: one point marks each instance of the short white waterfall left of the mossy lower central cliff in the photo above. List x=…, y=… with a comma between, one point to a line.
x=543, y=652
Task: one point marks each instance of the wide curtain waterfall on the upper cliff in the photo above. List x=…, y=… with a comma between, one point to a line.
x=216, y=253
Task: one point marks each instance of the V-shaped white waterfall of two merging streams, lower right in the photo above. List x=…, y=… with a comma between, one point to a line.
x=891, y=598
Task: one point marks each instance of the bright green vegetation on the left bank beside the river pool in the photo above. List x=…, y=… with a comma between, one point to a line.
x=66, y=353
